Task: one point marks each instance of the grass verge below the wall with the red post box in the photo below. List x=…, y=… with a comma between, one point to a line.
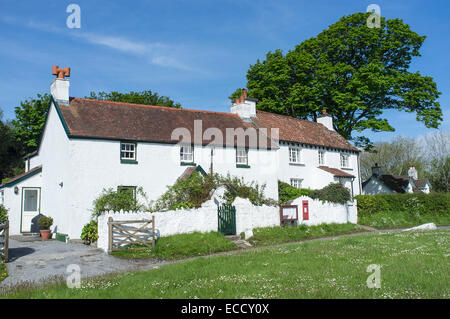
x=274, y=235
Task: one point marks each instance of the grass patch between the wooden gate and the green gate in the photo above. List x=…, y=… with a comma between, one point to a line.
x=180, y=246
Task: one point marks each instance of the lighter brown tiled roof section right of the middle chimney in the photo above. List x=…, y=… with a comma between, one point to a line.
x=302, y=131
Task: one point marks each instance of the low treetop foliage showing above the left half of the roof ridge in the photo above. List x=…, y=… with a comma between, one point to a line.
x=143, y=97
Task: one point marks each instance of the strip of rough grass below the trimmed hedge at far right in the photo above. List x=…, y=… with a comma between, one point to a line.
x=385, y=220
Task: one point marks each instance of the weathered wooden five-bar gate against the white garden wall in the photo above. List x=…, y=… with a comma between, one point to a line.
x=121, y=233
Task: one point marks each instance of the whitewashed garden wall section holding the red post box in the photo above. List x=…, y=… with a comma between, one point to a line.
x=325, y=213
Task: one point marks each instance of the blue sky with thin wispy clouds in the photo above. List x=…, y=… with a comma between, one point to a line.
x=194, y=51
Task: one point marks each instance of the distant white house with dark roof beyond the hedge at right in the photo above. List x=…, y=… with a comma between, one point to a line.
x=380, y=183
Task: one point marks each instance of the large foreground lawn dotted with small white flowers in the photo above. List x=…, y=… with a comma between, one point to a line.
x=413, y=265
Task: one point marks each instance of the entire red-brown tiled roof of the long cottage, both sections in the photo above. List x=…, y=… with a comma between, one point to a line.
x=126, y=121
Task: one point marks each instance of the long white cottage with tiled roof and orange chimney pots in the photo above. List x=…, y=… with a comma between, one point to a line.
x=88, y=145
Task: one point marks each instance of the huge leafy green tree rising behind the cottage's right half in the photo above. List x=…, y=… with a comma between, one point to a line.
x=354, y=72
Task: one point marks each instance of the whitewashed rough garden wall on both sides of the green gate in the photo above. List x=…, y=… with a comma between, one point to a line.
x=203, y=219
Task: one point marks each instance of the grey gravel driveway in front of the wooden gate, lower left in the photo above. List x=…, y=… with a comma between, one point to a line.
x=39, y=261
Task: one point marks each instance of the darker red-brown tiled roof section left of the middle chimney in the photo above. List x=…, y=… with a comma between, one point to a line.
x=146, y=123
